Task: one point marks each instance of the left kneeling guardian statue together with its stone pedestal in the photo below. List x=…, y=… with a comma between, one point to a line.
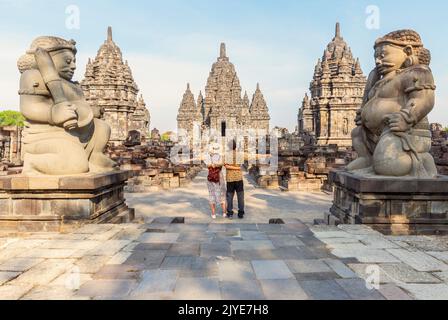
x=67, y=180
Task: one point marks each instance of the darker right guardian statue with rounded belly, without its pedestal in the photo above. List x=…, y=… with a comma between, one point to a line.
x=392, y=137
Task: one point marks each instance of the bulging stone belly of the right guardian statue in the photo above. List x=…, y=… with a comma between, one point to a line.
x=375, y=110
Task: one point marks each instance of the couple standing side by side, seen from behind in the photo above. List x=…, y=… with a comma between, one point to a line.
x=222, y=192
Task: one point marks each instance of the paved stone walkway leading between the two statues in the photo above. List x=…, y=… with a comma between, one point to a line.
x=160, y=258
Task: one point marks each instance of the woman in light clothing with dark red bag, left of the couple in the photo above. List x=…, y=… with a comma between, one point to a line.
x=215, y=180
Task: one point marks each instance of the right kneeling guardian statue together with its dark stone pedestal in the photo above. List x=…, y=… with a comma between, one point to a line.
x=393, y=185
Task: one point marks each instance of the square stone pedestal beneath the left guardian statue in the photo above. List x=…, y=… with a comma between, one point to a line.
x=61, y=203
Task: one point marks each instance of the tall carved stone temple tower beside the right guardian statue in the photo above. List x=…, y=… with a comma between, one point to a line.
x=337, y=91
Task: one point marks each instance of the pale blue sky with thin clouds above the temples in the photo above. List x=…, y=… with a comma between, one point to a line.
x=172, y=42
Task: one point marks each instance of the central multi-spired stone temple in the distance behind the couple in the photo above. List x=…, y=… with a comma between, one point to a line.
x=223, y=107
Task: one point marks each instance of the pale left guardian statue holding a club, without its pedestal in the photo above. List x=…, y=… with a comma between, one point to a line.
x=63, y=135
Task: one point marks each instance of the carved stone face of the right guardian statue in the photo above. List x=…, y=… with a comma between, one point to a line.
x=390, y=58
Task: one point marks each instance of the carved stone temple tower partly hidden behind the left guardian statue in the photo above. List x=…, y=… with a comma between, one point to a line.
x=109, y=84
